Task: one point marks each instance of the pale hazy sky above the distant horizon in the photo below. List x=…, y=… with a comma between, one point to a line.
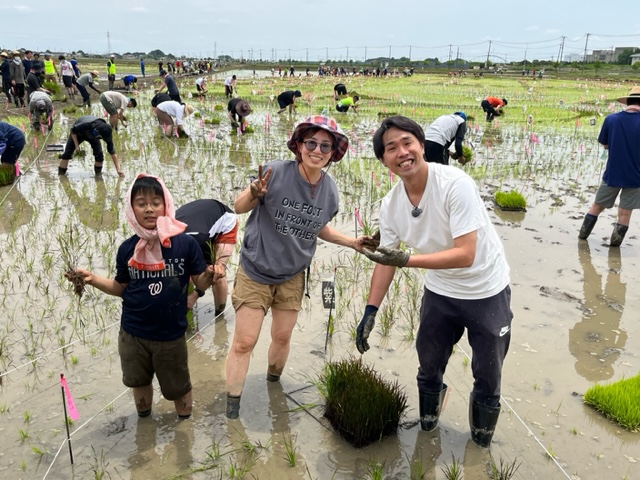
x=317, y=30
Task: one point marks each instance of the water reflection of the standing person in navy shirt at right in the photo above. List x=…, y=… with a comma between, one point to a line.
x=596, y=341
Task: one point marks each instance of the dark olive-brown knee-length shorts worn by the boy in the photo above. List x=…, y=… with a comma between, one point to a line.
x=141, y=358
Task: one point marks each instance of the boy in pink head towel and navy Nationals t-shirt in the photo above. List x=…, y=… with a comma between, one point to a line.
x=153, y=269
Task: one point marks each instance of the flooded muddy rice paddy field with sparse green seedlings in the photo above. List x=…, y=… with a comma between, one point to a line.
x=575, y=308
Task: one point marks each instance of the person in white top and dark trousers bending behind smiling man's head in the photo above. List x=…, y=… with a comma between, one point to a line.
x=442, y=132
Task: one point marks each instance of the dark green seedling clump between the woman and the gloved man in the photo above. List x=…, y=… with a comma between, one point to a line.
x=359, y=403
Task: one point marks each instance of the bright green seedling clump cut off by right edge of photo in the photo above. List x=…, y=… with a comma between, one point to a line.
x=618, y=401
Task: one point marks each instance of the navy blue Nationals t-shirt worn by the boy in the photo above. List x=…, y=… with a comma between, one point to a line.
x=154, y=304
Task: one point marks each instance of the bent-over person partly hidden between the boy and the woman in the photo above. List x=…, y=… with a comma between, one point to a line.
x=215, y=227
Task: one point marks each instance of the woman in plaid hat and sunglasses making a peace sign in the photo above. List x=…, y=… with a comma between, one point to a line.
x=291, y=204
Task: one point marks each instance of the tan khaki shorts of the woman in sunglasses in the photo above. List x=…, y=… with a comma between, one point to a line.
x=285, y=296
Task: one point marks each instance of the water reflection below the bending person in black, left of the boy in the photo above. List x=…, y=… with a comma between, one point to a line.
x=98, y=214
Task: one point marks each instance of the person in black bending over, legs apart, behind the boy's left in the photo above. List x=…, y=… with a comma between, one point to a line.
x=90, y=129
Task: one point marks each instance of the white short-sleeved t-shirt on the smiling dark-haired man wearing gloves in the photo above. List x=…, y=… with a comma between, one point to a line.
x=451, y=207
